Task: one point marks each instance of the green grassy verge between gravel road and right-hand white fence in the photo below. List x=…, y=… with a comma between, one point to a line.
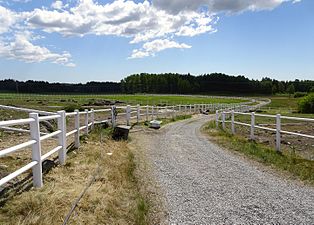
x=294, y=165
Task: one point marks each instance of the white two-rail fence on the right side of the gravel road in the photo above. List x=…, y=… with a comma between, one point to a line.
x=278, y=131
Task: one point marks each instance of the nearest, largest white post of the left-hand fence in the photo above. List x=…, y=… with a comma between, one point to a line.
x=36, y=151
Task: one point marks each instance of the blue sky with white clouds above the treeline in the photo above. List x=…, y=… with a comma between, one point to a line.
x=87, y=40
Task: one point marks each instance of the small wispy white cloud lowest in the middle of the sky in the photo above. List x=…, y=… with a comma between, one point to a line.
x=150, y=48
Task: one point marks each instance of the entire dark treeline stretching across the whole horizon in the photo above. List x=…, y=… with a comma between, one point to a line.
x=169, y=83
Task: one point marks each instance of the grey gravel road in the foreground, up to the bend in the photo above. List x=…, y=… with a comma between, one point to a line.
x=204, y=184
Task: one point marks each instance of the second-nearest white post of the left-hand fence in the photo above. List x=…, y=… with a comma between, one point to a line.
x=62, y=137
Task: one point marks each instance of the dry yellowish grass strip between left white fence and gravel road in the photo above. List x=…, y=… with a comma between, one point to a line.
x=112, y=198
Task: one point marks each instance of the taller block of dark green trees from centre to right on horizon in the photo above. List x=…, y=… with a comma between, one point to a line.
x=209, y=83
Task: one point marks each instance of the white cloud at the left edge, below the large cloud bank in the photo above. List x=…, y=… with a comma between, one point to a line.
x=21, y=48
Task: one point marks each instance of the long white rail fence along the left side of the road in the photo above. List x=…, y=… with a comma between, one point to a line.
x=125, y=114
